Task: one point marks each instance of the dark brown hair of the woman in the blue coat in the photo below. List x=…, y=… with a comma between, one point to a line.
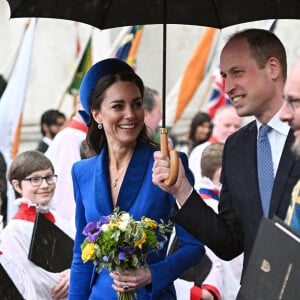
x=96, y=138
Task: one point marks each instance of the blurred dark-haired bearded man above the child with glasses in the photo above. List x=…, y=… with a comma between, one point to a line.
x=52, y=121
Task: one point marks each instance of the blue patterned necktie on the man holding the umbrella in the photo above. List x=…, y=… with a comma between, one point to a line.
x=265, y=167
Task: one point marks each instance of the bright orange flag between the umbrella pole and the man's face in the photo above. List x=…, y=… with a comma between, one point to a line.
x=195, y=71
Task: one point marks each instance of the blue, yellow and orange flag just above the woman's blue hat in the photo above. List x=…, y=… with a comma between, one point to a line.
x=130, y=44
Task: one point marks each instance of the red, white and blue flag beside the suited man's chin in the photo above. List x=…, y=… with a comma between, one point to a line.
x=218, y=96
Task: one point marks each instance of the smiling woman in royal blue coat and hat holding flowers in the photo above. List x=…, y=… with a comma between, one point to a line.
x=120, y=174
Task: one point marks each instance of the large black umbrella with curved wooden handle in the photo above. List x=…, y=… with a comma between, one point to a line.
x=105, y=14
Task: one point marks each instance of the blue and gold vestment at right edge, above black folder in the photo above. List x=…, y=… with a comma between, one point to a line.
x=293, y=214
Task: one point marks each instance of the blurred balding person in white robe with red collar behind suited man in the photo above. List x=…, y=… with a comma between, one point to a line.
x=226, y=121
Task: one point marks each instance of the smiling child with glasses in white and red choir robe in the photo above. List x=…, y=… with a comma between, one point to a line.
x=32, y=176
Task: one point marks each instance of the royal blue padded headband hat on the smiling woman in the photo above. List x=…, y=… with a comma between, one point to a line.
x=94, y=74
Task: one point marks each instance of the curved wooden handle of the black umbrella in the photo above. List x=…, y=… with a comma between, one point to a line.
x=174, y=158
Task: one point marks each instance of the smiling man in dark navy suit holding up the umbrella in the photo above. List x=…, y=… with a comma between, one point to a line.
x=253, y=64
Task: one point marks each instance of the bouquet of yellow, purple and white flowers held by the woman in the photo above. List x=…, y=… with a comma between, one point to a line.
x=118, y=242
